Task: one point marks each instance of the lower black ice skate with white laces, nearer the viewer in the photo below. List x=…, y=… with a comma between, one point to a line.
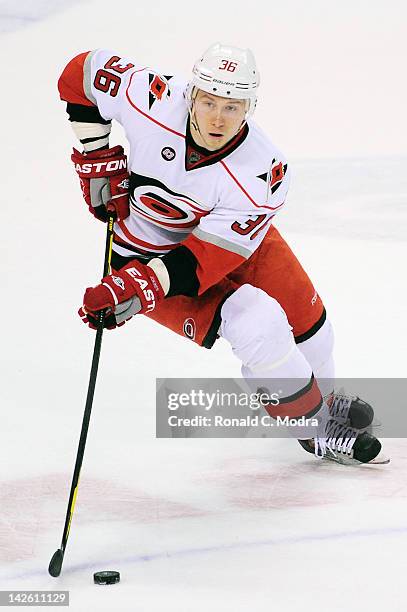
x=345, y=445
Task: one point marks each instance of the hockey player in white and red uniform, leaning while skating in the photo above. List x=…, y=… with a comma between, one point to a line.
x=195, y=248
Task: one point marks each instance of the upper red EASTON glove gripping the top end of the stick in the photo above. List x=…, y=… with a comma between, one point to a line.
x=104, y=179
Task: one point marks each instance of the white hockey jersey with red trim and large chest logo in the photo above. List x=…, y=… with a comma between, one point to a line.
x=218, y=204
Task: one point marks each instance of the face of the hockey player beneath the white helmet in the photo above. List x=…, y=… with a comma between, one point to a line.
x=218, y=119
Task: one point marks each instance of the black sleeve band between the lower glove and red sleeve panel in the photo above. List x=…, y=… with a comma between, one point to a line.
x=181, y=264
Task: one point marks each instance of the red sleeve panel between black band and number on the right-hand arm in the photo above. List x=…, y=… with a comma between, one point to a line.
x=214, y=262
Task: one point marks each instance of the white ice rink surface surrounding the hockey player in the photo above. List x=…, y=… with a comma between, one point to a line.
x=228, y=524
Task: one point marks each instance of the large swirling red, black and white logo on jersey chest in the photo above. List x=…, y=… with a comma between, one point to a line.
x=152, y=200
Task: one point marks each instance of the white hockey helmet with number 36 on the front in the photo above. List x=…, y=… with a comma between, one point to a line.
x=225, y=71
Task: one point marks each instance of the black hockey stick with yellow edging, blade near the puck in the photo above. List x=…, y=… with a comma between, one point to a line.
x=55, y=564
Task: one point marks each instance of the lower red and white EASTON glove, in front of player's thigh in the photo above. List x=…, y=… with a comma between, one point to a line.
x=134, y=289
